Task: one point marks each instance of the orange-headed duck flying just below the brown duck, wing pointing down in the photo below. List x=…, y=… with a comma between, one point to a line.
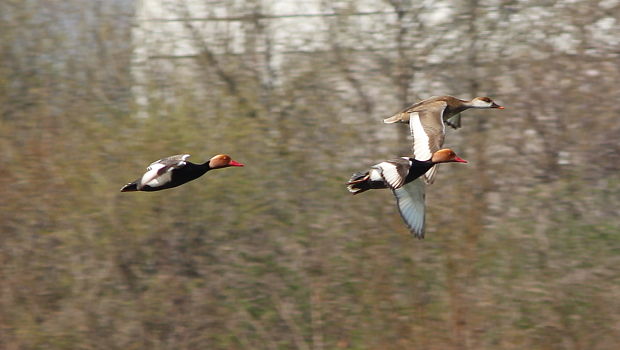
x=399, y=175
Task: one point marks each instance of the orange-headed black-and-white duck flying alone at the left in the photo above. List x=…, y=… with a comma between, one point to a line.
x=174, y=171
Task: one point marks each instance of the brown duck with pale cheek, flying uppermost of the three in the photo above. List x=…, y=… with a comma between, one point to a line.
x=427, y=121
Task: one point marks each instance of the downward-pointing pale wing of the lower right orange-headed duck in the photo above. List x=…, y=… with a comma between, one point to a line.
x=410, y=202
